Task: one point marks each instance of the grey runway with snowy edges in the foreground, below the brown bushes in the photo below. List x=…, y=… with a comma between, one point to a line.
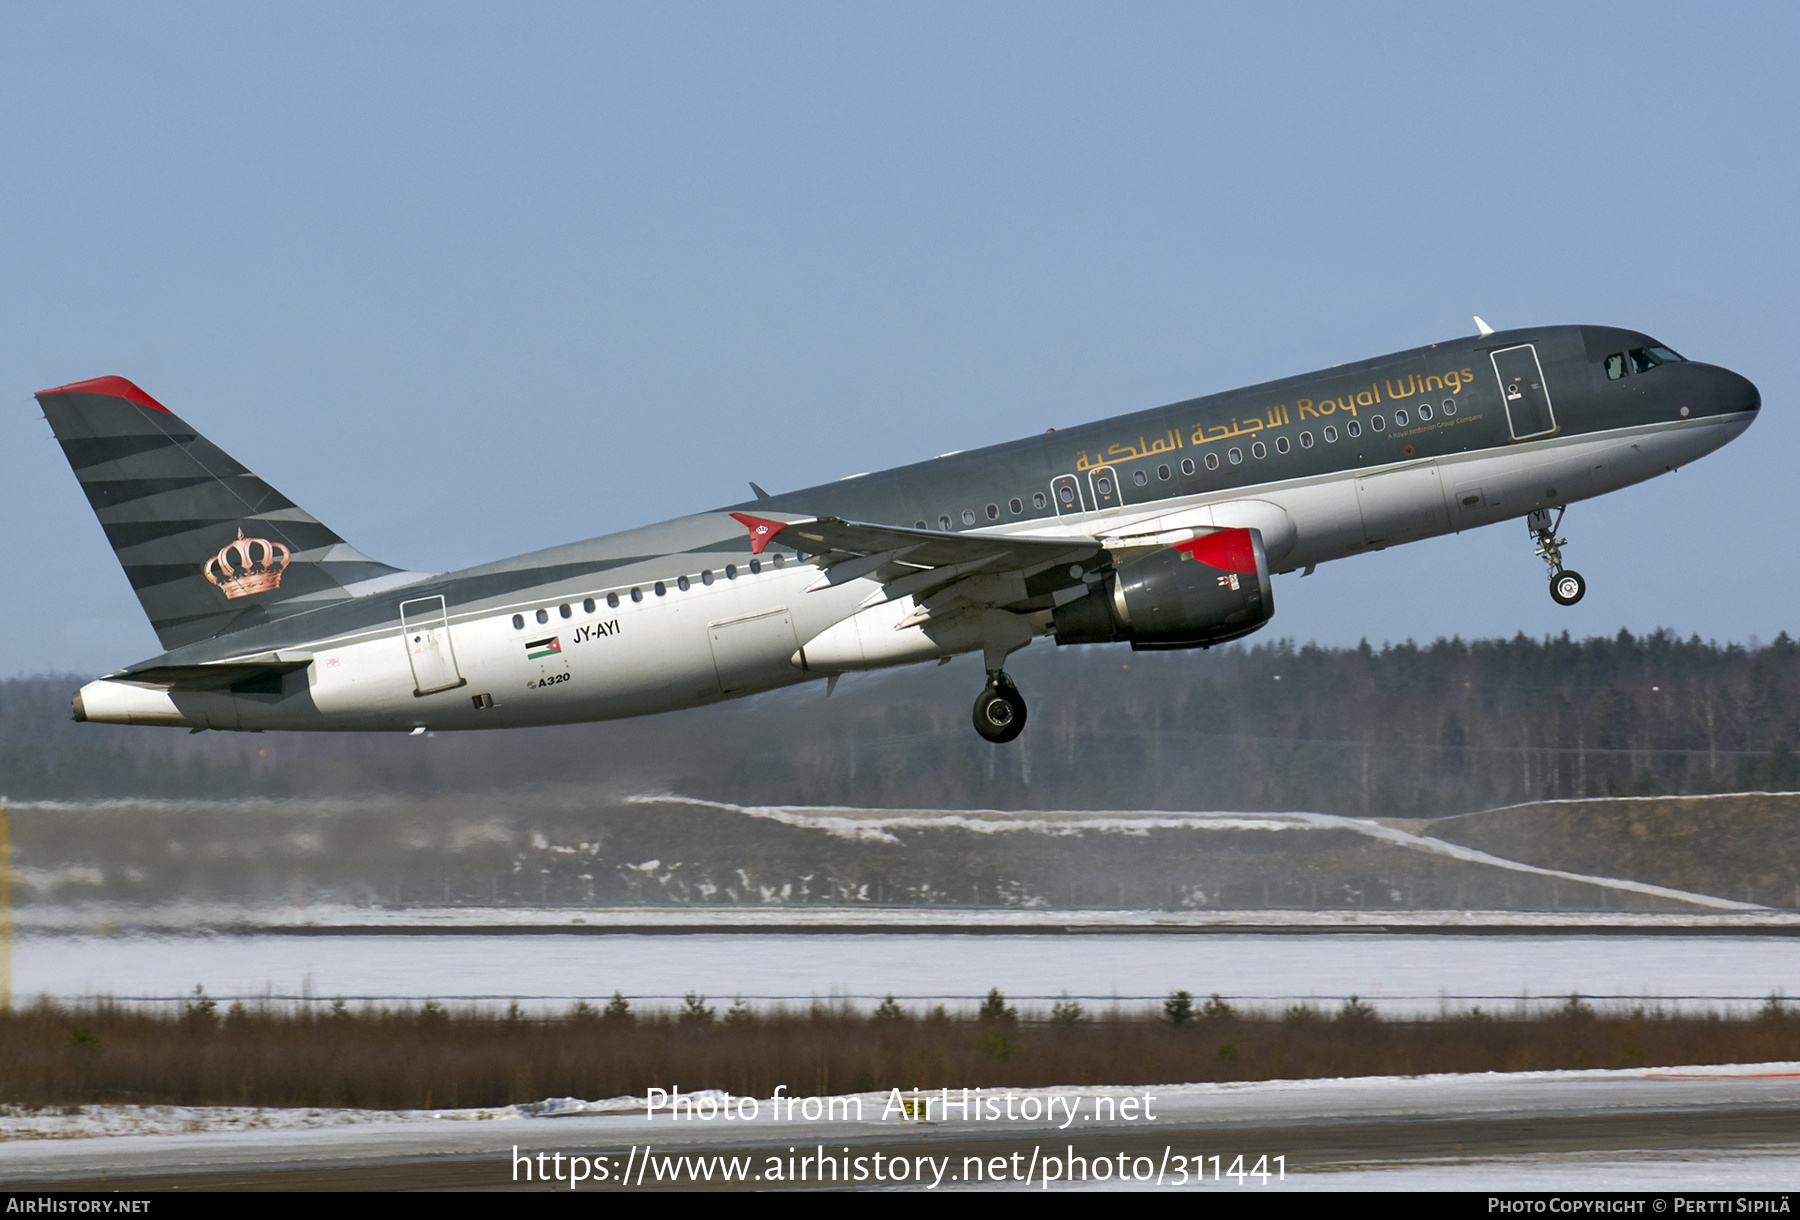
x=1666, y=1129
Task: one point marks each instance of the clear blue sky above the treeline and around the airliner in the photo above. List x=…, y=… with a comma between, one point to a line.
x=474, y=280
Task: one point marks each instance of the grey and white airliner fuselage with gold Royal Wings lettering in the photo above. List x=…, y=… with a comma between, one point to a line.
x=1324, y=467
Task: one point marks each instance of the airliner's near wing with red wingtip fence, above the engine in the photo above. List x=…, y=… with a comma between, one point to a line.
x=984, y=570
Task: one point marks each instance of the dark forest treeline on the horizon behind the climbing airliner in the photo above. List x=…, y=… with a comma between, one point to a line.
x=1396, y=731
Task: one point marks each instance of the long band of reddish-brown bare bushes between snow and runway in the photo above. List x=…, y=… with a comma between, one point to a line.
x=433, y=1055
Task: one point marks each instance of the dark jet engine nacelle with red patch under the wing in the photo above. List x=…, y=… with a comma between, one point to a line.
x=1192, y=595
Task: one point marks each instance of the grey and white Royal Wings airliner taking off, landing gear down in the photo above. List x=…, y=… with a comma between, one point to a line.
x=1160, y=530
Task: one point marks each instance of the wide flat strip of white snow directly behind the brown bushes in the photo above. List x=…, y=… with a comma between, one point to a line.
x=1399, y=973
